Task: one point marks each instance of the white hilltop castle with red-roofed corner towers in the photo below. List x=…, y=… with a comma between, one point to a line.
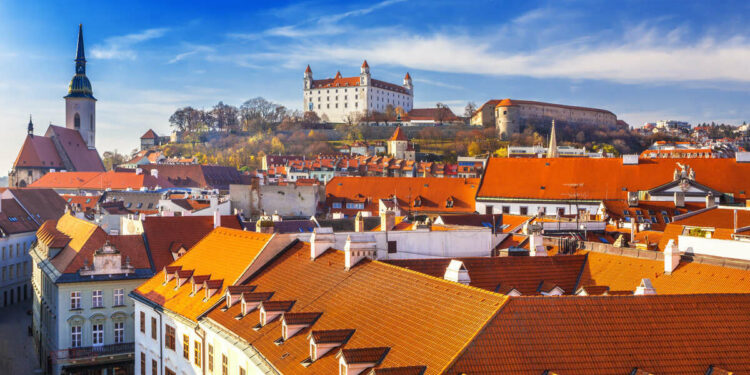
x=332, y=99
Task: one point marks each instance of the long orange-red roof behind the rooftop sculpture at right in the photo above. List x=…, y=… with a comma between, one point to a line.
x=607, y=178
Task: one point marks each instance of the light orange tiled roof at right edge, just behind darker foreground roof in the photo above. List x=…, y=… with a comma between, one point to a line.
x=625, y=273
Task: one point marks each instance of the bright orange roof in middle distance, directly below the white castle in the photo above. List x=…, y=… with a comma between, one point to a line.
x=433, y=192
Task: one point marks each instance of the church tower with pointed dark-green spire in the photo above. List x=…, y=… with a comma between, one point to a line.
x=80, y=104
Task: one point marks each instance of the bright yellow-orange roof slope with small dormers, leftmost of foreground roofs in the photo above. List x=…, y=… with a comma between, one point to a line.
x=224, y=254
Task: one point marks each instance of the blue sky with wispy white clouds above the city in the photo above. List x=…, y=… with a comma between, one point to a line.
x=643, y=60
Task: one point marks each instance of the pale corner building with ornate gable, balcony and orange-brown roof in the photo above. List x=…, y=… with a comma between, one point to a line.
x=82, y=320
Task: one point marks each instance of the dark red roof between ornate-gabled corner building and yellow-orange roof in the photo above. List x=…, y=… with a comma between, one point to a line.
x=164, y=232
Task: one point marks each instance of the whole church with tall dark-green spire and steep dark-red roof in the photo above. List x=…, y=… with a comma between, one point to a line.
x=69, y=148
